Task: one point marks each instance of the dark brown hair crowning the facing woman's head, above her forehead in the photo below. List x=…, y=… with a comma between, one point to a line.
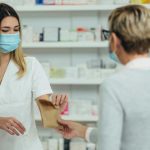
x=6, y=10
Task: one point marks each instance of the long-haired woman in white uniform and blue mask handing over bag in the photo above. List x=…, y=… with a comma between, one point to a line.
x=21, y=79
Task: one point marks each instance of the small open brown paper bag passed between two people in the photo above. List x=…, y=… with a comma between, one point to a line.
x=49, y=114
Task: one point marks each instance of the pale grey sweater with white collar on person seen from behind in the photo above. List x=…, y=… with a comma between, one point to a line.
x=125, y=109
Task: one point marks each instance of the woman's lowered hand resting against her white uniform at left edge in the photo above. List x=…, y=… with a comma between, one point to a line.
x=11, y=125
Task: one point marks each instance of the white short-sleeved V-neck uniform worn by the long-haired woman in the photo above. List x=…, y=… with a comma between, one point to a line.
x=16, y=100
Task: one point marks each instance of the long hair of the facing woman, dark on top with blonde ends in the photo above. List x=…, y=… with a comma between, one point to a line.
x=17, y=55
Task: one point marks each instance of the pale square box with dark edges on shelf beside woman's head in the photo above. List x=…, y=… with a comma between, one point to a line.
x=50, y=34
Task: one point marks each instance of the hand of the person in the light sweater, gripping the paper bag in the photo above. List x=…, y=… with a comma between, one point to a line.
x=72, y=129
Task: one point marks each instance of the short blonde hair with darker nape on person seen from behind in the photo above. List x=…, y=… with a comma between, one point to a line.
x=131, y=24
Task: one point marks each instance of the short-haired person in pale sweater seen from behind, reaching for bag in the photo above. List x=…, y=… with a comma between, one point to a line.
x=124, y=116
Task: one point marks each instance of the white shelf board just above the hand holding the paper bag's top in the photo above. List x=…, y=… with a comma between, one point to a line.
x=76, y=81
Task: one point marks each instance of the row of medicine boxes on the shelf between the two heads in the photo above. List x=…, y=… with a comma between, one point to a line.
x=56, y=34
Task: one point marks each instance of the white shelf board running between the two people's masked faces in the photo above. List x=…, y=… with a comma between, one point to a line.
x=102, y=44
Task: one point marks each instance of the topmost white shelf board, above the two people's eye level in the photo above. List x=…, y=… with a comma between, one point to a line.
x=50, y=8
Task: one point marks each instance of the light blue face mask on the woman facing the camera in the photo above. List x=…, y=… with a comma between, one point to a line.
x=9, y=42
